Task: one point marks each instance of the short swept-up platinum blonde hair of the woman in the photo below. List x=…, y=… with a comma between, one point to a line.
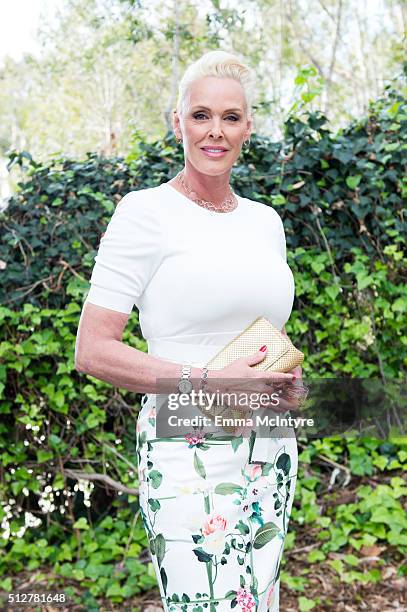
x=219, y=64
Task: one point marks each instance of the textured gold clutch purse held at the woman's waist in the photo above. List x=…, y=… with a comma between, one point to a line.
x=282, y=356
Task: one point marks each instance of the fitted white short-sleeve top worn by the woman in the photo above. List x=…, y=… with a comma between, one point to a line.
x=191, y=271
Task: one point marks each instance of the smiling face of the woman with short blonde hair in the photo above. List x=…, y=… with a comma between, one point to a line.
x=214, y=117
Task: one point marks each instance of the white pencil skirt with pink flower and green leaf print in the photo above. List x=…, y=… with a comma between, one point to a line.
x=216, y=521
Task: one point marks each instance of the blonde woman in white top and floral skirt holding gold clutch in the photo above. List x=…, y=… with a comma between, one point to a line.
x=200, y=263
